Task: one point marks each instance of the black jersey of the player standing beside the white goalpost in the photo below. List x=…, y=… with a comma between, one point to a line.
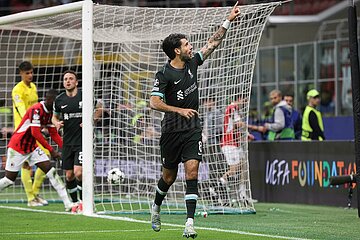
x=70, y=111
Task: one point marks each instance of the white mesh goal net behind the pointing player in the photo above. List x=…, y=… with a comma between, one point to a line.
x=126, y=54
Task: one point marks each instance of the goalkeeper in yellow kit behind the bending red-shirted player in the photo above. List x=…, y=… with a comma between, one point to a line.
x=24, y=95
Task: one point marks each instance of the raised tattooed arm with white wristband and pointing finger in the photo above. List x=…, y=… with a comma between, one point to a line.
x=219, y=35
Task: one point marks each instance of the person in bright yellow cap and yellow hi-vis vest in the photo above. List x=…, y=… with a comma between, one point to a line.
x=312, y=124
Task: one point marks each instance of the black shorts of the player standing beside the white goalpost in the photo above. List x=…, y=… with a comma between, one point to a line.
x=71, y=155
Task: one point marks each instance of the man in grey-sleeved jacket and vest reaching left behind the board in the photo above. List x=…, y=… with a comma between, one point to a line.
x=281, y=126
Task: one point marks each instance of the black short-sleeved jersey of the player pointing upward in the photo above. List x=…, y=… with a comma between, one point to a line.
x=179, y=88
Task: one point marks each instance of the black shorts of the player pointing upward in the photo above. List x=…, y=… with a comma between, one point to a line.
x=179, y=147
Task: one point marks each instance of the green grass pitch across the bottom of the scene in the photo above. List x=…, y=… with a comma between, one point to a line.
x=272, y=220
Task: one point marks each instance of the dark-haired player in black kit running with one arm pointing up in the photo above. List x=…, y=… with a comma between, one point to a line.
x=181, y=141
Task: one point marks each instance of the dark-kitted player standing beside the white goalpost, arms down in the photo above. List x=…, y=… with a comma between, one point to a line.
x=68, y=108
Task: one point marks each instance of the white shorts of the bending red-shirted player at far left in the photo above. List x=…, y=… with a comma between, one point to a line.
x=15, y=160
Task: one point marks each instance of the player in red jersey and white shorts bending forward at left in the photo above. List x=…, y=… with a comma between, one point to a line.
x=23, y=147
